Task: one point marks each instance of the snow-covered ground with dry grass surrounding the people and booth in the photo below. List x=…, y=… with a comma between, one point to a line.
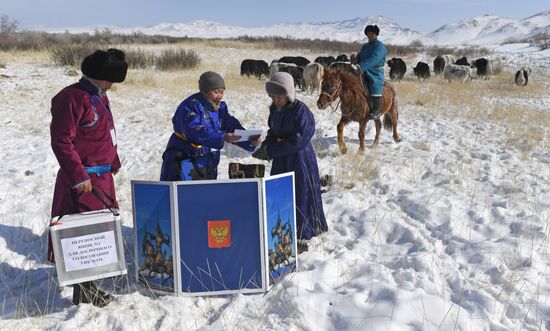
x=447, y=230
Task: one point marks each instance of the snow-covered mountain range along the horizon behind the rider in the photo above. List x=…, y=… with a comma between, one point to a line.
x=478, y=30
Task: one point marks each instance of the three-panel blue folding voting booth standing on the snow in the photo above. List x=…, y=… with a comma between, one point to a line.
x=214, y=237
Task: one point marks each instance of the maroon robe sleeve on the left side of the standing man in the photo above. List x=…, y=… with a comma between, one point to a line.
x=66, y=114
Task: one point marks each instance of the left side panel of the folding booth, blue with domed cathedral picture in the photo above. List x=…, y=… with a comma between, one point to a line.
x=154, y=235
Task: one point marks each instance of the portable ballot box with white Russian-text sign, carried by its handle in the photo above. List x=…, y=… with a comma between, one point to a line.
x=88, y=246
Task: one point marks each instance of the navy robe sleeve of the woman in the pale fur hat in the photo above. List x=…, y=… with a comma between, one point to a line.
x=305, y=128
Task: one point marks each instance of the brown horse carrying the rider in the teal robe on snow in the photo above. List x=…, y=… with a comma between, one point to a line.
x=348, y=87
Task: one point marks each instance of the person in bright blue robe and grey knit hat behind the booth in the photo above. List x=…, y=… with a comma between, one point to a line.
x=202, y=124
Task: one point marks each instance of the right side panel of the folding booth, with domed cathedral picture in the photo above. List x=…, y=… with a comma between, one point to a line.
x=281, y=239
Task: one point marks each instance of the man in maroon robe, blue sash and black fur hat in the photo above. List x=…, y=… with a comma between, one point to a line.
x=83, y=139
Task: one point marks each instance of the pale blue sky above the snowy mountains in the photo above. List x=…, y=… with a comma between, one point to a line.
x=419, y=15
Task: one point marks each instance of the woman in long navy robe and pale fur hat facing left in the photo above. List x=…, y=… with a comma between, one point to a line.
x=288, y=145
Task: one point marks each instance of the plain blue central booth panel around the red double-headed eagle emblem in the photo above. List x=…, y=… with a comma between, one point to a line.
x=217, y=269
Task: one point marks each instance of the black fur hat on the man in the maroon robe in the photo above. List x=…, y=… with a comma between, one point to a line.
x=105, y=65
